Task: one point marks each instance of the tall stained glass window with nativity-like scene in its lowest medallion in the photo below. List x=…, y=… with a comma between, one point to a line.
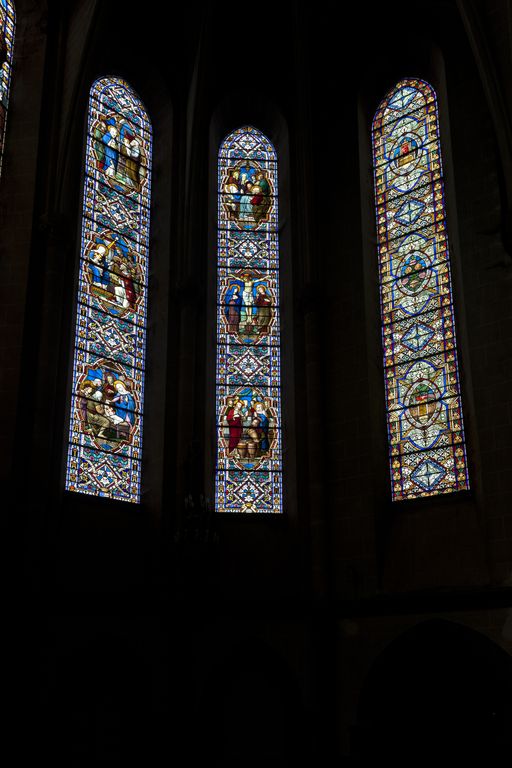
x=104, y=456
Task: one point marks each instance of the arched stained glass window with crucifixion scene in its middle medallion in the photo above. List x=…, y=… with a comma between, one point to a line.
x=248, y=402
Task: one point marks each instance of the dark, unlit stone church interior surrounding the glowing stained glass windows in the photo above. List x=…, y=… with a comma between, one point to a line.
x=350, y=630
